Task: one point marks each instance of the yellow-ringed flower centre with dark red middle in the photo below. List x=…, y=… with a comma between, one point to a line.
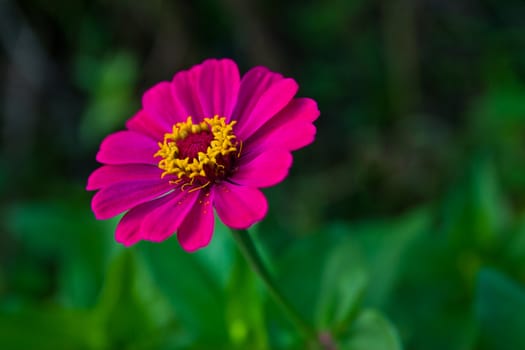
x=199, y=154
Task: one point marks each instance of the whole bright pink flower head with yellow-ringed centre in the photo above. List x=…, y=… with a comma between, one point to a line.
x=206, y=140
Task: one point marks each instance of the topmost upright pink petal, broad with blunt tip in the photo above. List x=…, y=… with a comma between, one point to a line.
x=218, y=87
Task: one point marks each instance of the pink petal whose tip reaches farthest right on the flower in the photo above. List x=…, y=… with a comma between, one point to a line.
x=290, y=129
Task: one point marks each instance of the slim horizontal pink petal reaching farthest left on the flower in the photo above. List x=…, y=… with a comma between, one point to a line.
x=108, y=175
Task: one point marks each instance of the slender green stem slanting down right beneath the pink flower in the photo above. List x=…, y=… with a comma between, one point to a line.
x=245, y=243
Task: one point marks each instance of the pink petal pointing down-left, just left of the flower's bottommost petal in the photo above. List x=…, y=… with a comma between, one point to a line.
x=162, y=222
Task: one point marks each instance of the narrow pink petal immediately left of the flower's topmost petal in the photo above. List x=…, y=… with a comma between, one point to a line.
x=185, y=92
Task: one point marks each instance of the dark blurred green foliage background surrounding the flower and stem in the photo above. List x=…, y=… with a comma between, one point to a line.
x=402, y=226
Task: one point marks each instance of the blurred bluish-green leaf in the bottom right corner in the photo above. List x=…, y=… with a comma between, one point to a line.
x=500, y=309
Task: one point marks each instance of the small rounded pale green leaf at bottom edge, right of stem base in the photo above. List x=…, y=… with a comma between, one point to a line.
x=371, y=331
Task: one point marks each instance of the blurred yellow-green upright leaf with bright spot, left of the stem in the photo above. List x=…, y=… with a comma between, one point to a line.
x=244, y=309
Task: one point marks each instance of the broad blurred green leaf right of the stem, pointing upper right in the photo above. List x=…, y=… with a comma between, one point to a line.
x=365, y=262
